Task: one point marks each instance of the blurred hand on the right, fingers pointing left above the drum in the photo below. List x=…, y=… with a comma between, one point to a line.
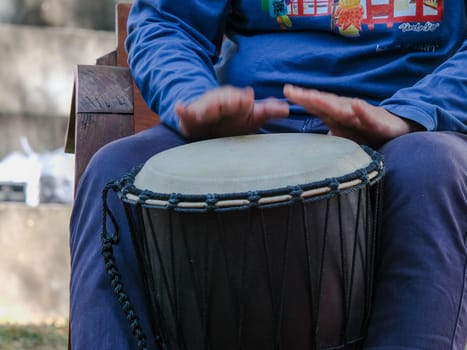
x=351, y=118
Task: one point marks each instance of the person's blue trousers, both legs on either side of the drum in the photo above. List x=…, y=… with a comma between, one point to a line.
x=420, y=298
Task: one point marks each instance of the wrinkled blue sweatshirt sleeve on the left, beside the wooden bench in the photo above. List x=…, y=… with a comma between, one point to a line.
x=172, y=47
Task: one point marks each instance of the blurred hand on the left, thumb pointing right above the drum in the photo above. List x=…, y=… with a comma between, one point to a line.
x=227, y=111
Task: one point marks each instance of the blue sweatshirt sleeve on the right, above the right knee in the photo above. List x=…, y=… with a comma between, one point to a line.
x=439, y=100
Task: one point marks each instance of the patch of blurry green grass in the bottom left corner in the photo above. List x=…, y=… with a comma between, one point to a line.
x=37, y=337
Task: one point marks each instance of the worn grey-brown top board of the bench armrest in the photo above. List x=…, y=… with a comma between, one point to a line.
x=103, y=89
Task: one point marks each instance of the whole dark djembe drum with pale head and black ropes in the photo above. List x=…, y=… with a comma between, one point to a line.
x=257, y=242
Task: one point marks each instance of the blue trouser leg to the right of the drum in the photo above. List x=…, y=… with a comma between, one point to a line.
x=421, y=288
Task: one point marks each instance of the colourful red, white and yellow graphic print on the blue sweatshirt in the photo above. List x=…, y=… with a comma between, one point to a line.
x=350, y=17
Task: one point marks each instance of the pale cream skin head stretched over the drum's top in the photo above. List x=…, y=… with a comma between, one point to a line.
x=250, y=163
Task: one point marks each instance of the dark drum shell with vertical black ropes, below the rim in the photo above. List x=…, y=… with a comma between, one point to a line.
x=295, y=275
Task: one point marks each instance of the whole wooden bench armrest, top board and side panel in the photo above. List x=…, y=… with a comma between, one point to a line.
x=101, y=111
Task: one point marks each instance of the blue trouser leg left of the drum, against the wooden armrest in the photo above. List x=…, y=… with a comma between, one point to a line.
x=96, y=318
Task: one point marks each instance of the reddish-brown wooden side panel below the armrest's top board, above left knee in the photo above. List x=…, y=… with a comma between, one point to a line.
x=94, y=131
